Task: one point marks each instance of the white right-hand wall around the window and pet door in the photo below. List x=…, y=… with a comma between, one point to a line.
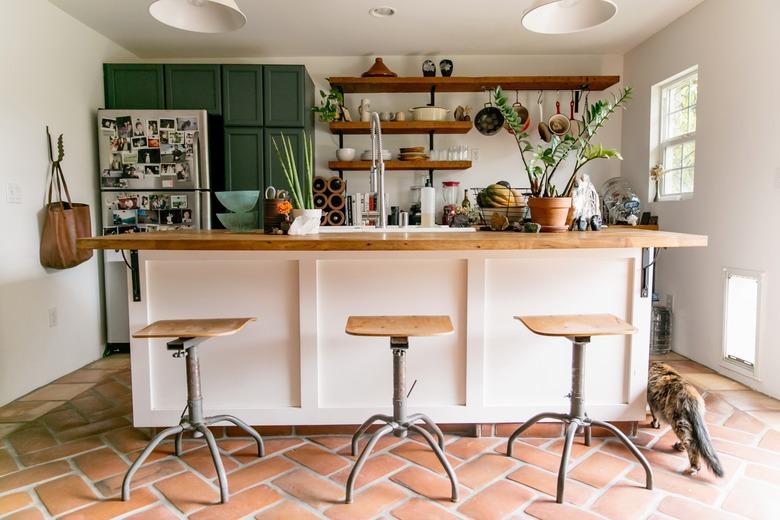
x=737, y=180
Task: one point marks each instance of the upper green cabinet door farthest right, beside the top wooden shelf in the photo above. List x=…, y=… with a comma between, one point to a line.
x=289, y=94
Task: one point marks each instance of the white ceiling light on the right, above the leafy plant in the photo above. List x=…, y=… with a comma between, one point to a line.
x=567, y=16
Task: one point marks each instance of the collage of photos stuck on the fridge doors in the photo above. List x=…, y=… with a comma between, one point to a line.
x=159, y=148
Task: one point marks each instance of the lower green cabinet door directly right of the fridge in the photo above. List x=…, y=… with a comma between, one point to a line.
x=243, y=158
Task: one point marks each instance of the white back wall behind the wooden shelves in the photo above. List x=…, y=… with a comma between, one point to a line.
x=499, y=157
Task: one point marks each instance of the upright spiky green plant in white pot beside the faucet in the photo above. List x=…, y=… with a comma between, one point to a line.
x=306, y=217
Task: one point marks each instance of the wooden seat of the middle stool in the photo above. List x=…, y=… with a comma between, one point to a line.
x=399, y=326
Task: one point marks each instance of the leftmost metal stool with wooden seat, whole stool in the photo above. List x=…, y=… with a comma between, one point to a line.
x=189, y=334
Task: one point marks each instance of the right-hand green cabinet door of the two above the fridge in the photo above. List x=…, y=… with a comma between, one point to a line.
x=193, y=86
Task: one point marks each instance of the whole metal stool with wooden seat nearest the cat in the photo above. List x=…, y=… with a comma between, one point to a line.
x=578, y=329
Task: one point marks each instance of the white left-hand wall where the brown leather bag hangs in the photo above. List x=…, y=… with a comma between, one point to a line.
x=53, y=67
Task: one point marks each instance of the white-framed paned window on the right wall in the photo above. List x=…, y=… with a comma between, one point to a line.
x=676, y=127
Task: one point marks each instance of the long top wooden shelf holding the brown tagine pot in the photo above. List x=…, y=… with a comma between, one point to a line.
x=351, y=85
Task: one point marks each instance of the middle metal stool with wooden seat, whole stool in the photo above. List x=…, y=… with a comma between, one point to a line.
x=399, y=329
